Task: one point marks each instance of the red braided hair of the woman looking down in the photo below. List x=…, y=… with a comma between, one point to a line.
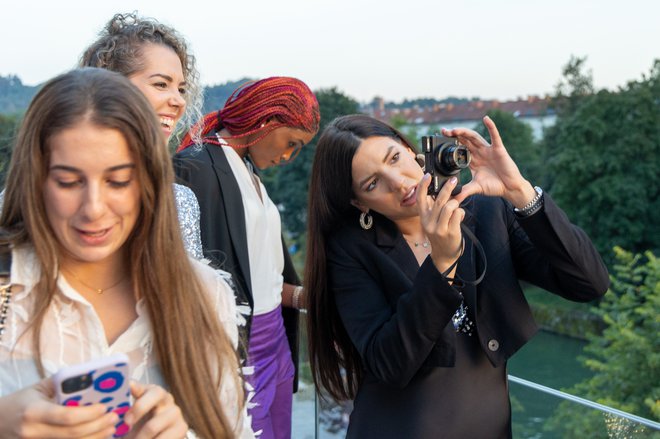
x=283, y=101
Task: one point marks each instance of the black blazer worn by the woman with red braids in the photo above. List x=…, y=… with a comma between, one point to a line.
x=224, y=238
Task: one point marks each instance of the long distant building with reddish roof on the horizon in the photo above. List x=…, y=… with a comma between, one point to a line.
x=534, y=111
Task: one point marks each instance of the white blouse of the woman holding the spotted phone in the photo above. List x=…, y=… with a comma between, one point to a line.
x=72, y=333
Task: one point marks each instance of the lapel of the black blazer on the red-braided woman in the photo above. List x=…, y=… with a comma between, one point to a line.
x=233, y=207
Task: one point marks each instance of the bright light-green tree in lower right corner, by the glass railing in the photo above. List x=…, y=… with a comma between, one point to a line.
x=625, y=357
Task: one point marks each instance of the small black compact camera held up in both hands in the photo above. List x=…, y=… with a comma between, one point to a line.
x=443, y=158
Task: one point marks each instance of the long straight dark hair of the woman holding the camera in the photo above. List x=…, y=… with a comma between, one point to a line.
x=335, y=362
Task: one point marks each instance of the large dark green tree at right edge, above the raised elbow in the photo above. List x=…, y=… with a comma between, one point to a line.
x=601, y=161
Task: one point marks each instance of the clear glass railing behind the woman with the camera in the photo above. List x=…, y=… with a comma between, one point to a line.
x=538, y=412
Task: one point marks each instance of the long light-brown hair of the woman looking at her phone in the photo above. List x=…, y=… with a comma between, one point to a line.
x=193, y=351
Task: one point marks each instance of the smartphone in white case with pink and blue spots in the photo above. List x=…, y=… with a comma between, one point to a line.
x=105, y=381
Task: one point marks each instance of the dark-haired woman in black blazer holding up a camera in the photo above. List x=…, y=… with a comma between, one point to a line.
x=414, y=302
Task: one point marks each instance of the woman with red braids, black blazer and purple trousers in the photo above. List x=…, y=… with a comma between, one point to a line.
x=263, y=124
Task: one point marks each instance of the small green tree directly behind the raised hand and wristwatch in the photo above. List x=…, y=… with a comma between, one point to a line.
x=519, y=141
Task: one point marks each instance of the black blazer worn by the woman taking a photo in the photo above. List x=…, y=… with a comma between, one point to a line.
x=397, y=314
